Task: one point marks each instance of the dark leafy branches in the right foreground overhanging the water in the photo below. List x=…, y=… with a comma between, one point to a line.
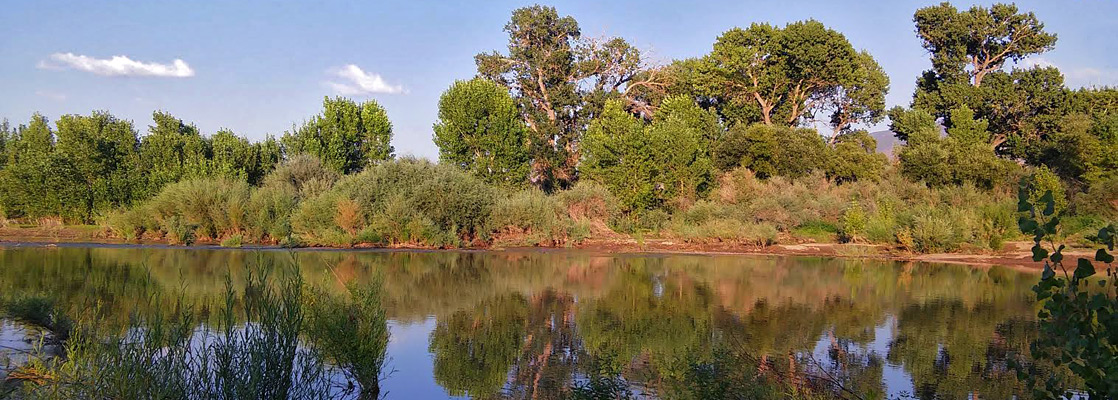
x=1078, y=321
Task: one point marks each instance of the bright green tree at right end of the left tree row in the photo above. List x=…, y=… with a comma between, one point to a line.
x=348, y=137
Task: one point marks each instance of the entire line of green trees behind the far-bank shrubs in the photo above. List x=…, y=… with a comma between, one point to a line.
x=557, y=108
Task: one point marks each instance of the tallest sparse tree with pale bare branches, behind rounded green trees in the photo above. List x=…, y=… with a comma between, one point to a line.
x=561, y=82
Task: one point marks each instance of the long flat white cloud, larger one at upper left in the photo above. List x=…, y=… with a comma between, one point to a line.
x=118, y=66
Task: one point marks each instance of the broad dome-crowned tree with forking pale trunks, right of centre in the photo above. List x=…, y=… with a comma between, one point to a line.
x=782, y=75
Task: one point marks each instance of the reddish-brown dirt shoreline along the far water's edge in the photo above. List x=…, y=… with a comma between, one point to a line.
x=1016, y=255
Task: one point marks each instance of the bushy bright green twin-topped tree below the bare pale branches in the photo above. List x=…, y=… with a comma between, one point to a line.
x=649, y=166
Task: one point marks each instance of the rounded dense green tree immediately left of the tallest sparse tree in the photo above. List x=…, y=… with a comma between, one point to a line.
x=480, y=130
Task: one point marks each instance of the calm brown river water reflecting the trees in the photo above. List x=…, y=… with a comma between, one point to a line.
x=534, y=325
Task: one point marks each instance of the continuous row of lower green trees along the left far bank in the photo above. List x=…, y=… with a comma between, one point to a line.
x=89, y=165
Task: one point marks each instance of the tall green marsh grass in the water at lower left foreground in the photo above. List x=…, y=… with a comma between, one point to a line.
x=262, y=345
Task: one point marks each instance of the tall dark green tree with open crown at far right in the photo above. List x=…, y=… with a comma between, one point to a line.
x=970, y=50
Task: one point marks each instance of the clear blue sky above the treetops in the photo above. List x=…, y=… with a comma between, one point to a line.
x=259, y=68
